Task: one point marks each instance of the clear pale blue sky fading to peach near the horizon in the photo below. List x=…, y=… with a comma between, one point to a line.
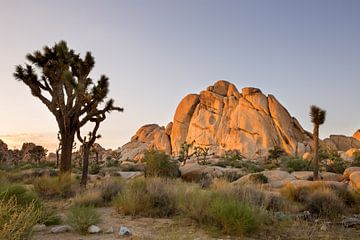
x=155, y=52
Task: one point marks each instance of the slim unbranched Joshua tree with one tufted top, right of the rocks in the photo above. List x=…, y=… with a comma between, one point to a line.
x=317, y=118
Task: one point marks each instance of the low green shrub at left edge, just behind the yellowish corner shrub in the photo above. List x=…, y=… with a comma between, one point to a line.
x=22, y=195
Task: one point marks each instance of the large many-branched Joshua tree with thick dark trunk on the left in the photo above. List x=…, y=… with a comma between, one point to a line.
x=62, y=83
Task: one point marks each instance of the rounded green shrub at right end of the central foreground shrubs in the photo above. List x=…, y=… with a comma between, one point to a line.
x=232, y=216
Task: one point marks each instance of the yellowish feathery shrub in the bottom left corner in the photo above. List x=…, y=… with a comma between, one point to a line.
x=16, y=221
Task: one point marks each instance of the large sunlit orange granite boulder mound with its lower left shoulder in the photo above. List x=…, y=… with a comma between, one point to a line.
x=222, y=119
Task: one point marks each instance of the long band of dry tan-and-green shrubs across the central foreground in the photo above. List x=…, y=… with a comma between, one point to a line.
x=165, y=197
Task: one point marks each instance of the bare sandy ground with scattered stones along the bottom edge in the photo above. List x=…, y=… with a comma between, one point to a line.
x=181, y=229
